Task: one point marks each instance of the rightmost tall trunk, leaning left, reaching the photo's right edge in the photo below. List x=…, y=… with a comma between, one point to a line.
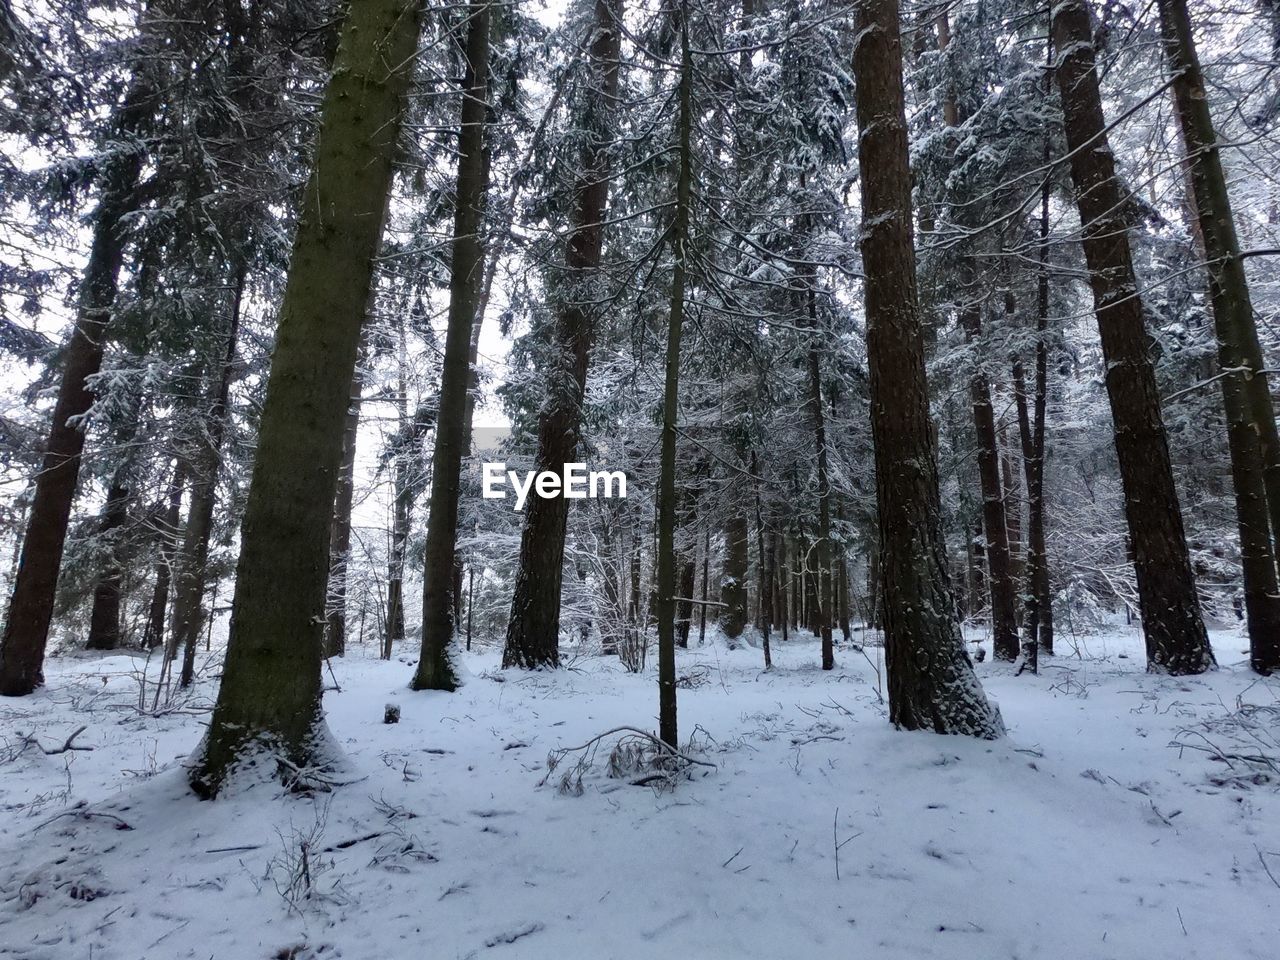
x=1246, y=394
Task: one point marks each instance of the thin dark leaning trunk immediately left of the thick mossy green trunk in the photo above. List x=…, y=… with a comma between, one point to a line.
x=207, y=464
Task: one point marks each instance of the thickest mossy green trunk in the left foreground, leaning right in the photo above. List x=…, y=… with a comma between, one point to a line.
x=271, y=691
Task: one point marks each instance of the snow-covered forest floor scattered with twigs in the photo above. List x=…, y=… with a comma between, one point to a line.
x=820, y=833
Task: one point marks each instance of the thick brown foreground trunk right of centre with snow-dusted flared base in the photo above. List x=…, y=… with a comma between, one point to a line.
x=931, y=680
